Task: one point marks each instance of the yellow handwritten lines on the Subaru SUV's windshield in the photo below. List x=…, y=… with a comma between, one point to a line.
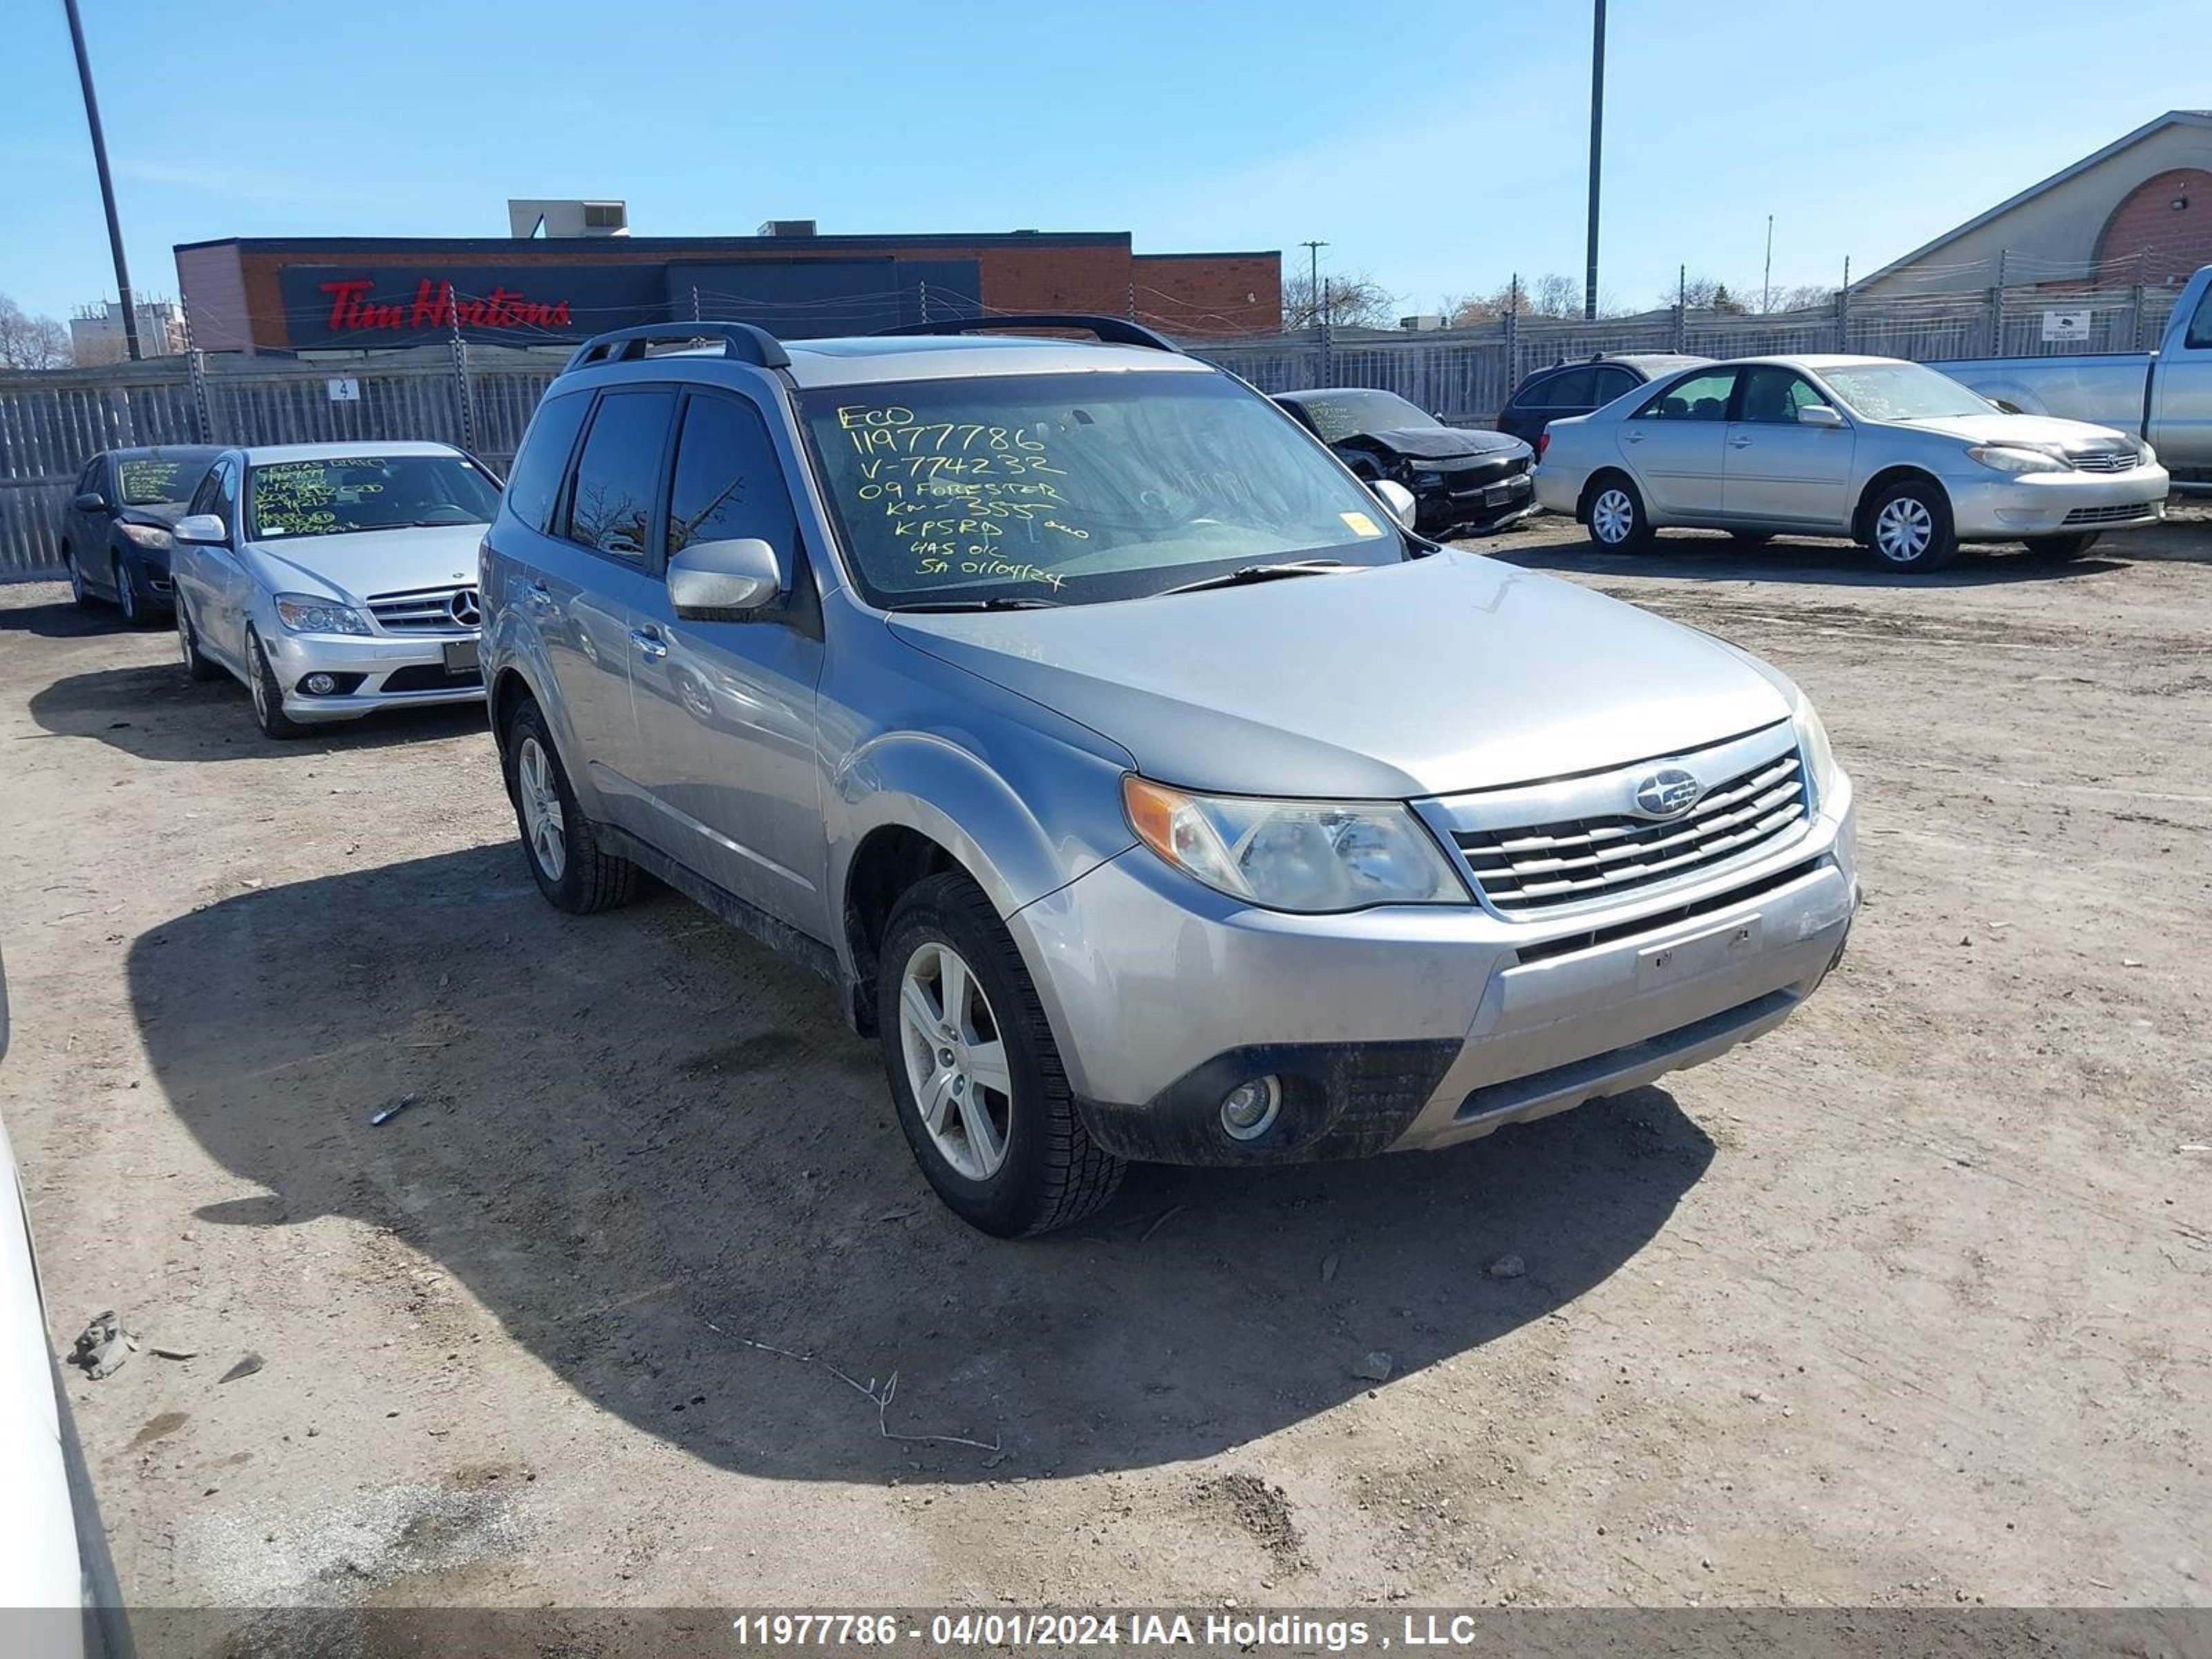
x=959, y=492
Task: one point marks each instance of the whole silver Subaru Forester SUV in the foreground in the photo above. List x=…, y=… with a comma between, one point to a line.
x=1140, y=782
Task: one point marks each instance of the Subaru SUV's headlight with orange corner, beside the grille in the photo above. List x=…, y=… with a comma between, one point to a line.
x=1295, y=855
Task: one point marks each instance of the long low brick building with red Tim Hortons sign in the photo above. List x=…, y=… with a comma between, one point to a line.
x=351, y=293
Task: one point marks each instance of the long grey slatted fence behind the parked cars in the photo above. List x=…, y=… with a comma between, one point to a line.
x=481, y=397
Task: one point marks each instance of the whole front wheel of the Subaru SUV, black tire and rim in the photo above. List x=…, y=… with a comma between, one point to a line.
x=974, y=1070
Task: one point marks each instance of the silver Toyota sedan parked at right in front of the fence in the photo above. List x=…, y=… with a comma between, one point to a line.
x=1890, y=455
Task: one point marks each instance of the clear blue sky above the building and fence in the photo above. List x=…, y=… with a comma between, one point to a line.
x=1437, y=147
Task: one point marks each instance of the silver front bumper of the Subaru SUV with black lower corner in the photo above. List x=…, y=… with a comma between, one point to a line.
x=1415, y=1027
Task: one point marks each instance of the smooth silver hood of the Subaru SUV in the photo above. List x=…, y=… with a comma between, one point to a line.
x=1428, y=678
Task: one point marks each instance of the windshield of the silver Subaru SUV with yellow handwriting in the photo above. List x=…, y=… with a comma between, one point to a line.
x=1078, y=488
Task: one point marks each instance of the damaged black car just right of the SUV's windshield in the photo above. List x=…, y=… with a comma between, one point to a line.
x=1463, y=479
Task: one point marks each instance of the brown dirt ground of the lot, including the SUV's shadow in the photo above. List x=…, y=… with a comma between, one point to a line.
x=1901, y=1306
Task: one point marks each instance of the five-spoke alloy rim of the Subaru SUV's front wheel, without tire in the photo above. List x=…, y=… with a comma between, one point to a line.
x=957, y=1061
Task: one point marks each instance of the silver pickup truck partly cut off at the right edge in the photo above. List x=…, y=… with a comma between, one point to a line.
x=2162, y=397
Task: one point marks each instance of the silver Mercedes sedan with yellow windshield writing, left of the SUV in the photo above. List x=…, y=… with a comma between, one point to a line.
x=335, y=581
